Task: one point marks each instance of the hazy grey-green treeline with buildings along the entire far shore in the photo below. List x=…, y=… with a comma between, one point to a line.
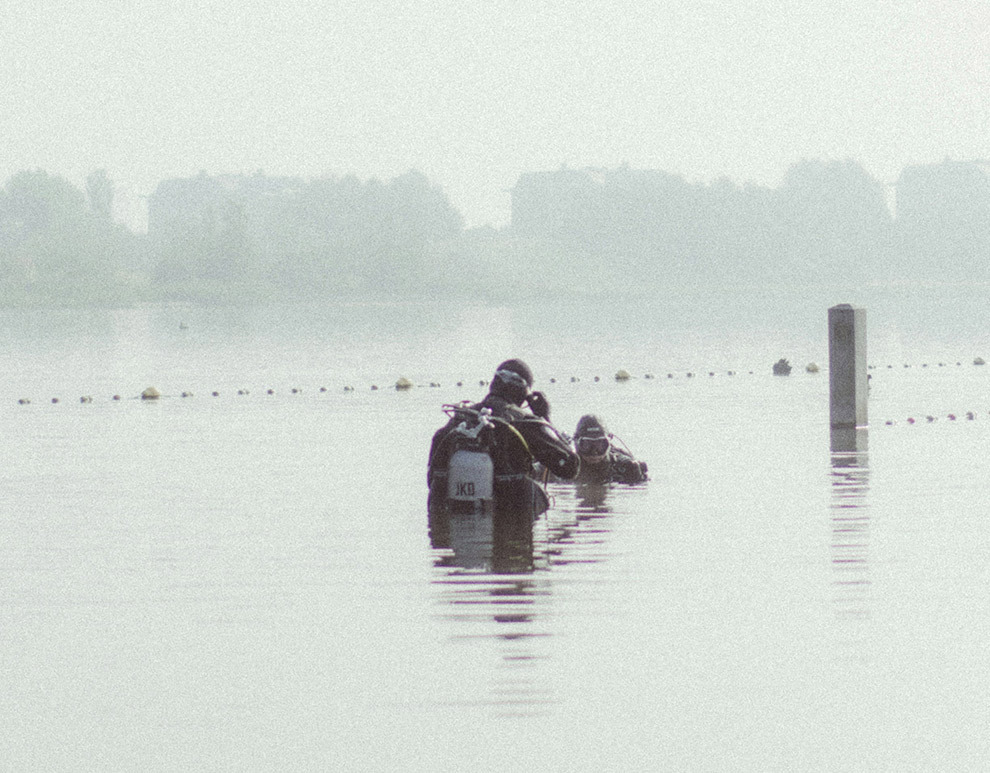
x=255, y=238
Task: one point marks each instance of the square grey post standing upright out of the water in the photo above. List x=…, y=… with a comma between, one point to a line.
x=848, y=381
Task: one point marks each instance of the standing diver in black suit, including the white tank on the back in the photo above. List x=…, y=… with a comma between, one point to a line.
x=486, y=454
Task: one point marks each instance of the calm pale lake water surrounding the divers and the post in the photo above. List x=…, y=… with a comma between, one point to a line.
x=248, y=581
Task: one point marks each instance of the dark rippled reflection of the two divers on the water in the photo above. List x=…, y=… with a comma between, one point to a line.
x=494, y=575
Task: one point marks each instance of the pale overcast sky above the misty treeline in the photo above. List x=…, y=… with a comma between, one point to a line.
x=473, y=95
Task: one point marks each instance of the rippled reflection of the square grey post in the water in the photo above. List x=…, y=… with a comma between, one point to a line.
x=851, y=532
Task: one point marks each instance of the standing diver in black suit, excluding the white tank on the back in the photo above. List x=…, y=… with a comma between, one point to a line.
x=511, y=425
